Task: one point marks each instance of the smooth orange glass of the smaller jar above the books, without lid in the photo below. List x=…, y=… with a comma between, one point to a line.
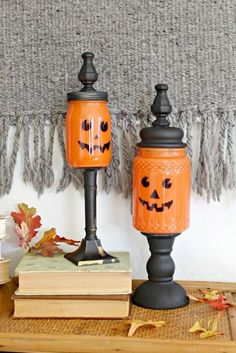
x=88, y=134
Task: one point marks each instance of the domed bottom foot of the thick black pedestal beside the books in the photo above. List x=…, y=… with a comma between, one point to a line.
x=154, y=295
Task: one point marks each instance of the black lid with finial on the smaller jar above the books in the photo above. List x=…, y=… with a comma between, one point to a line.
x=87, y=76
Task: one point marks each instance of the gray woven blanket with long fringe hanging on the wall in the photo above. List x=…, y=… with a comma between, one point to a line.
x=187, y=44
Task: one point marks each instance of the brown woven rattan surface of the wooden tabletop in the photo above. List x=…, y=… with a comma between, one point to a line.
x=178, y=322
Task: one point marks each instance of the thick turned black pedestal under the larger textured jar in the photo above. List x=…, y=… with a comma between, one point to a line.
x=160, y=291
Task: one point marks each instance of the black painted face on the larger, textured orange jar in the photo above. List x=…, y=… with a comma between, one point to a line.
x=156, y=206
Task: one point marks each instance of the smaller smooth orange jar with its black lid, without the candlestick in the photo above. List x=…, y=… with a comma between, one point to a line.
x=88, y=123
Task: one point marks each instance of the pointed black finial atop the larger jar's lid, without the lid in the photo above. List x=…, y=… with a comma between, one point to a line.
x=161, y=107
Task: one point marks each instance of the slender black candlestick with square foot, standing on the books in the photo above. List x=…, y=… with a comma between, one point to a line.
x=90, y=250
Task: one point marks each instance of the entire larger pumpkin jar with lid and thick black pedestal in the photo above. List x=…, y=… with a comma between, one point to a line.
x=161, y=198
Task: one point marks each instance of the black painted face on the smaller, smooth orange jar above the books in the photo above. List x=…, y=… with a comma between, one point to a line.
x=86, y=126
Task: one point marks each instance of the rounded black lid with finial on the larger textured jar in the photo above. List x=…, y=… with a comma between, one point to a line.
x=160, y=134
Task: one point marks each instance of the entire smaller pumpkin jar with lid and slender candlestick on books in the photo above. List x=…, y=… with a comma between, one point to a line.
x=89, y=147
